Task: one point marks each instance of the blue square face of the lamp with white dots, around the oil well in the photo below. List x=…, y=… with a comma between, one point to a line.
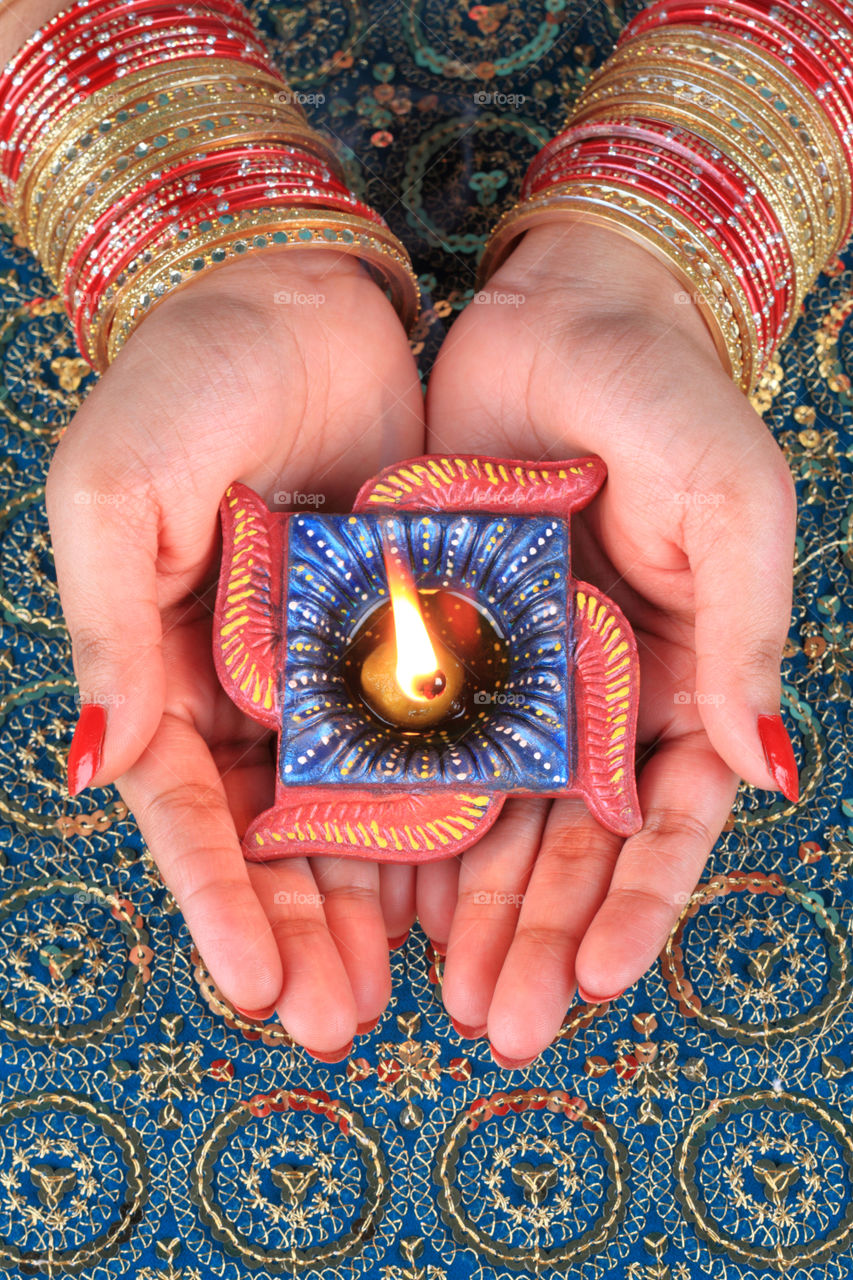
x=517, y=739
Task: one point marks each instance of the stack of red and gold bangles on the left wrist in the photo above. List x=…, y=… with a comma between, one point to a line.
x=144, y=143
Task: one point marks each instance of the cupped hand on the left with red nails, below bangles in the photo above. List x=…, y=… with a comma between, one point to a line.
x=289, y=372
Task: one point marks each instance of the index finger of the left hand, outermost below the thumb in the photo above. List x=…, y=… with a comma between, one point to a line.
x=177, y=798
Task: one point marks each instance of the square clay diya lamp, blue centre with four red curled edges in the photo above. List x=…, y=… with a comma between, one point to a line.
x=546, y=668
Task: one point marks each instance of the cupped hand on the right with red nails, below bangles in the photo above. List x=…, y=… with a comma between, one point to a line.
x=585, y=344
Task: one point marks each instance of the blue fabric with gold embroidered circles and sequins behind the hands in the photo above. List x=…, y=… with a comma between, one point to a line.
x=699, y=1124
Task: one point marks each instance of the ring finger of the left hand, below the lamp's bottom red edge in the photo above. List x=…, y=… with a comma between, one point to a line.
x=350, y=889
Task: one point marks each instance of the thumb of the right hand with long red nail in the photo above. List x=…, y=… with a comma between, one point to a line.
x=741, y=550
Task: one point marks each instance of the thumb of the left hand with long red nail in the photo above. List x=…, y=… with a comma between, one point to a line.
x=104, y=533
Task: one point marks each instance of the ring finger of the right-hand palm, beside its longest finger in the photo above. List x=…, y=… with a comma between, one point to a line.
x=492, y=884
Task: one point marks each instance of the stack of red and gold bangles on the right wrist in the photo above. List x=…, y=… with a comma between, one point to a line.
x=720, y=138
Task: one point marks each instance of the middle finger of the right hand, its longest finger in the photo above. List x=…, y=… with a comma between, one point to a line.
x=568, y=884
